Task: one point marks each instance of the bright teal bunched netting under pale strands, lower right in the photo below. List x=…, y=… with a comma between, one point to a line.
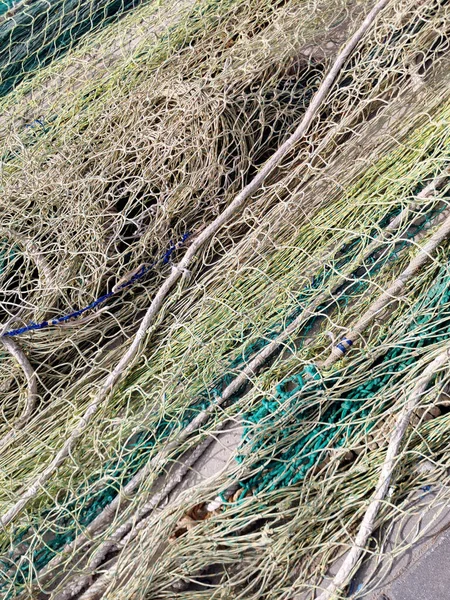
x=280, y=417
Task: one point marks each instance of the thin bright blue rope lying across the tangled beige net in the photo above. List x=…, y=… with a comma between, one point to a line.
x=143, y=271
